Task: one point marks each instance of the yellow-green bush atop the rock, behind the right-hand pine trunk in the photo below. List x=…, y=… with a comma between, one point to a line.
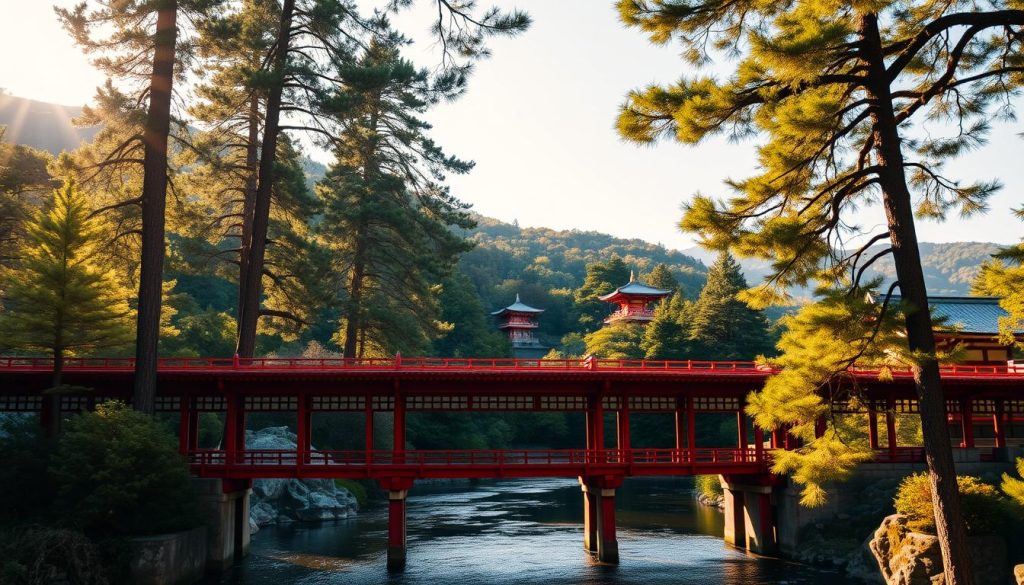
x=986, y=510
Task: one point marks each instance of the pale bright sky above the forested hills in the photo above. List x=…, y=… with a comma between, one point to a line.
x=539, y=121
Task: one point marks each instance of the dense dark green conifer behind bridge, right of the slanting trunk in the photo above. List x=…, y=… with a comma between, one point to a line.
x=390, y=218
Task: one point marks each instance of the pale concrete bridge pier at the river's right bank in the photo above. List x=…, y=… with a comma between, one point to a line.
x=750, y=515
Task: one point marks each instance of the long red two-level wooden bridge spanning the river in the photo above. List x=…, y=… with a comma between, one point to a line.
x=988, y=401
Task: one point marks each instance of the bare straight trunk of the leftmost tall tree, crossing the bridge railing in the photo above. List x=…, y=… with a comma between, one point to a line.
x=158, y=127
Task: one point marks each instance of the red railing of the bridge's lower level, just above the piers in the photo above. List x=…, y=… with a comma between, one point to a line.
x=513, y=457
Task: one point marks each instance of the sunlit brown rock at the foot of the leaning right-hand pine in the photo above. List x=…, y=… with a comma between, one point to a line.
x=908, y=558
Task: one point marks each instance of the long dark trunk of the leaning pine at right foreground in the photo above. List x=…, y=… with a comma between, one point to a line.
x=900, y=212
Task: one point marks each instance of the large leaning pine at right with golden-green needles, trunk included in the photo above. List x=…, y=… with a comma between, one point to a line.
x=833, y=90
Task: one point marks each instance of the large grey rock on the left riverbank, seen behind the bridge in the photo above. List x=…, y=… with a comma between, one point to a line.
x=293, y=500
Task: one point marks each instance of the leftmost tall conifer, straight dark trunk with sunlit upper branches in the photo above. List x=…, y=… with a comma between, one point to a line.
x=137, y=43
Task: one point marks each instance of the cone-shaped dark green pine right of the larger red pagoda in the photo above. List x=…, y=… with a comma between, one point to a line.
x=722, y=326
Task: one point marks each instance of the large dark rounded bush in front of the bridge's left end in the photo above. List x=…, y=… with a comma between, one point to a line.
x=118, y=473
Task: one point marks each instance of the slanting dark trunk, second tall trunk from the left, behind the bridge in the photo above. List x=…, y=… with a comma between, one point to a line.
x=249, y=310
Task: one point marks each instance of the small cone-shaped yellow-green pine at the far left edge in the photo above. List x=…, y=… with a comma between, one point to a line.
x=59, y=300
